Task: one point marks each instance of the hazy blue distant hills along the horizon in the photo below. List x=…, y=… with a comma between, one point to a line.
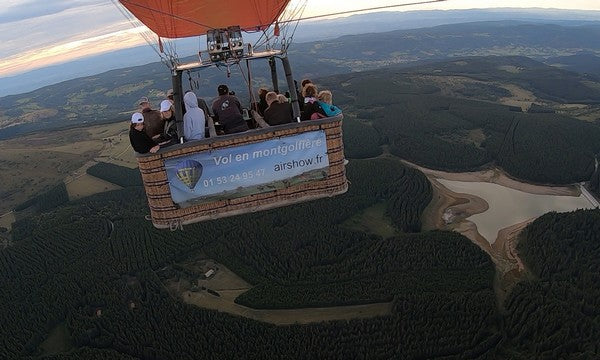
x=308, y=31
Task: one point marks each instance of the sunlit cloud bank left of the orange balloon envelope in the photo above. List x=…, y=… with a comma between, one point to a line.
x=65, y=31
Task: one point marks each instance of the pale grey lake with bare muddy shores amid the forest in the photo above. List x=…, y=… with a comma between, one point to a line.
x=508, y=206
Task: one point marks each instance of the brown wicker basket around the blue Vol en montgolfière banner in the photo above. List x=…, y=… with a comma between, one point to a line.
x=166, y=214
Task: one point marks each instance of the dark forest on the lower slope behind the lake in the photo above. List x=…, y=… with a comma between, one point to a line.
x=410, y=115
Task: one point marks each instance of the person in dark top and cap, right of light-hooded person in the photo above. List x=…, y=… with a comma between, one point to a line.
x=228, y=111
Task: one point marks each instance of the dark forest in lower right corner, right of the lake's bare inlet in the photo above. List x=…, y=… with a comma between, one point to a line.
x=556, y=314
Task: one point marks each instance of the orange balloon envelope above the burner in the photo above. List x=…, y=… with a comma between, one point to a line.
x=185, y=18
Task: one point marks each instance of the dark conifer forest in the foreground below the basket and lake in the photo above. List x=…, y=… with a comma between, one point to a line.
x=83, y=264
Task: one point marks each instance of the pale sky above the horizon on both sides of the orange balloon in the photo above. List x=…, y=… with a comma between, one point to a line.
x=35, y=34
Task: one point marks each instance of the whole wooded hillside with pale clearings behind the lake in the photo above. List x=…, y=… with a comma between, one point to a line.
x=428, y=115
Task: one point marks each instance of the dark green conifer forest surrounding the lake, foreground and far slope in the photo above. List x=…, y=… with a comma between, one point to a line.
x=76, y=267
